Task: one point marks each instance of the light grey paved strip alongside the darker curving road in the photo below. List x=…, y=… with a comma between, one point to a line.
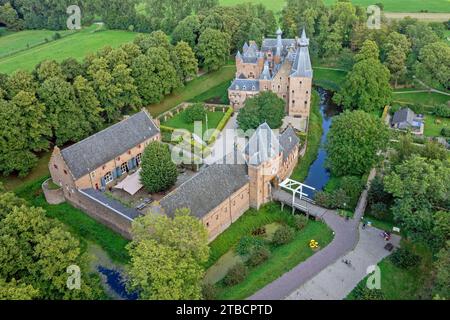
x=337, y=280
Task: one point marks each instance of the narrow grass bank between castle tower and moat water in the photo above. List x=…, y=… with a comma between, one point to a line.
x=314, y=134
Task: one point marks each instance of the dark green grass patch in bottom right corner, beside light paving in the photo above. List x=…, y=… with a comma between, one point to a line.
x=405, y=284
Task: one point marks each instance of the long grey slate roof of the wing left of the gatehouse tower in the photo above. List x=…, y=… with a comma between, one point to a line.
x=206, y=190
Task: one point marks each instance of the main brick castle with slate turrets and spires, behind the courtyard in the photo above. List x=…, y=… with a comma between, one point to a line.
x=282, y=66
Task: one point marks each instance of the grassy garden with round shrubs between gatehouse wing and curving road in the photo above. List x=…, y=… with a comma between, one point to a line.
x=258, y=248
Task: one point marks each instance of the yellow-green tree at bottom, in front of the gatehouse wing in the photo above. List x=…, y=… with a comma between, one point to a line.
x=167, y=256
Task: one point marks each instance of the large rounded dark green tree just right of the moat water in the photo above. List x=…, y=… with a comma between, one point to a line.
x=353, y=143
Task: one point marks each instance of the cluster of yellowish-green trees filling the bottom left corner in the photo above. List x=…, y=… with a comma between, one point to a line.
x=36, y=252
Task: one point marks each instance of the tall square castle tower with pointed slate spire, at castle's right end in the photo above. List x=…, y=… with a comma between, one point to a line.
x=300, y=80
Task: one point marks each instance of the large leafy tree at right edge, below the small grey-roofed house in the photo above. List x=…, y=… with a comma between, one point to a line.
x=420, y=188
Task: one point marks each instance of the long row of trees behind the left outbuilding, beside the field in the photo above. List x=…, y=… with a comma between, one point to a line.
x=65, y=102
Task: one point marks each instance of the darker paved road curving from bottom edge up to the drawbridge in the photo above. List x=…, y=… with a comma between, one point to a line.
x=346, y=237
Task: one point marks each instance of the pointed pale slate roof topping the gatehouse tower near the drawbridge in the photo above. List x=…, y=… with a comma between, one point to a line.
x=262, y=145
